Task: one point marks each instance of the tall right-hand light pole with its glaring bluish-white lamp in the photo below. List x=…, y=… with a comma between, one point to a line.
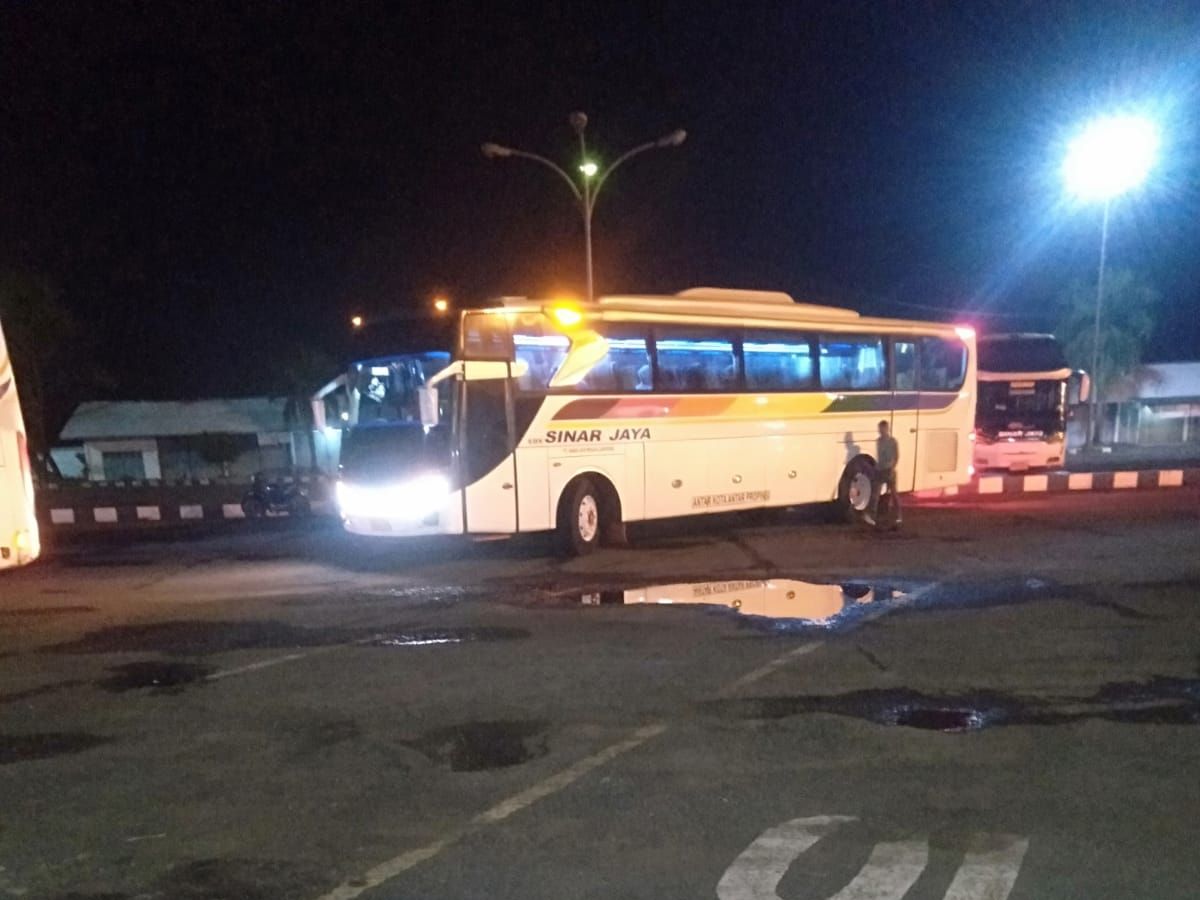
x=1108, y=159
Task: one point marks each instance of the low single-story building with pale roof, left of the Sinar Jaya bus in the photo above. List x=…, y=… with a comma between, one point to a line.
x=230, y=439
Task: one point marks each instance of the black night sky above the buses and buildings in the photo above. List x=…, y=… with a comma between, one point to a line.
x=209, y=183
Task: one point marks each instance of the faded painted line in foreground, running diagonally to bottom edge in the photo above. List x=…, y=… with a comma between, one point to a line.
x=399, y=866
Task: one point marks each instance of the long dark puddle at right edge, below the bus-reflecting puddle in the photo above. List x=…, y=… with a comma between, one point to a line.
x=1160, y=701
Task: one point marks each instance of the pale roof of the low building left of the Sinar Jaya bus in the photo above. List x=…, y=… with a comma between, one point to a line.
x=151, y=419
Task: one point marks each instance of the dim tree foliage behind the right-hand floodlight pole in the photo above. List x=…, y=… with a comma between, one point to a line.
x=1127, y=325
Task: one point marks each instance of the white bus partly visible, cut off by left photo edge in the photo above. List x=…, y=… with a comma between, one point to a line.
x=19, y=521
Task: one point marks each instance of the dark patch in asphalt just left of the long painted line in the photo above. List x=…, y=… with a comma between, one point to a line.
x=481, y=746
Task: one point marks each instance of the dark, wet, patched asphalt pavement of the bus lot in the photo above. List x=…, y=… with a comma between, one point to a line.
x=995, y=701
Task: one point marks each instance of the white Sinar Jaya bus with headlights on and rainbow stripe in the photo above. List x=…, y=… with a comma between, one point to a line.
x=581, y=418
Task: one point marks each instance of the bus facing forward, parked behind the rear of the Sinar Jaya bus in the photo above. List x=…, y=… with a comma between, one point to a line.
x=1025, y=393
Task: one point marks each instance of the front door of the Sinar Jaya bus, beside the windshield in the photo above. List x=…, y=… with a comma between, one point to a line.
x=487, y=464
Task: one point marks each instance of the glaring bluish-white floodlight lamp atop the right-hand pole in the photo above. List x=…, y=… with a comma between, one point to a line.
x=1111, y=157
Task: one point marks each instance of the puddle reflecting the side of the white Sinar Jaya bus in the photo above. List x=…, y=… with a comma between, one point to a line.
x=787, y=605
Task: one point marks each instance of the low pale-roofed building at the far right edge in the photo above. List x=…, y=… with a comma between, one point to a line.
x=1160, y=405
